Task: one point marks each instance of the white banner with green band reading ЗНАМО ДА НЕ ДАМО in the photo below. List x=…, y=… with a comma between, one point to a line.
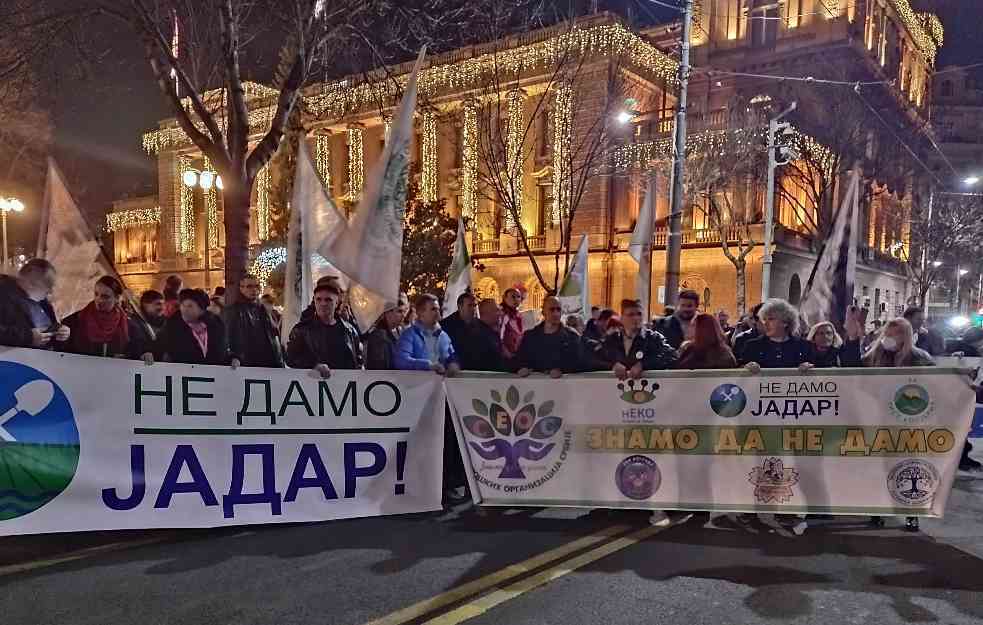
x=836, y=441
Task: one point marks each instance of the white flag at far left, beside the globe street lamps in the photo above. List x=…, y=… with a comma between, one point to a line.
x=67, y=242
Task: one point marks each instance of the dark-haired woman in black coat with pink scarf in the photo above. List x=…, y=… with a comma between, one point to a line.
x=192, y=336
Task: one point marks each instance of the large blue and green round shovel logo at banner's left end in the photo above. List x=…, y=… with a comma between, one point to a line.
x=39, y=441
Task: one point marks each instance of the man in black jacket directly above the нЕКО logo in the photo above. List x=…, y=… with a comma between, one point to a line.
x=635, y=348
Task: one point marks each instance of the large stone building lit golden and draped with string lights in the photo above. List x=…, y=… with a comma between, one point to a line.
x=479, y=125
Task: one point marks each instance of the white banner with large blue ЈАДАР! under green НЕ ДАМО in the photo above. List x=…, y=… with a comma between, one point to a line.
x=91, y=443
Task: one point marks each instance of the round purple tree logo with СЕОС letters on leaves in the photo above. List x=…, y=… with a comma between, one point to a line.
x=514, y=437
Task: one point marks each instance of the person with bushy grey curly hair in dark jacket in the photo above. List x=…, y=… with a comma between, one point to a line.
x=780, y=347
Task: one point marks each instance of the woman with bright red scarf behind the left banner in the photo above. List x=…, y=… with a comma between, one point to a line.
x=102, y=327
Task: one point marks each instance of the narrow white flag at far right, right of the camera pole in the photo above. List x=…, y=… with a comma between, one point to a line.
x=830, y=288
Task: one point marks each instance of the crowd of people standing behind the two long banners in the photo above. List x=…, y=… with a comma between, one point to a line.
x=184, y=325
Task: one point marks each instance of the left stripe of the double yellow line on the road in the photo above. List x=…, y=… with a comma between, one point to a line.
x=491, y=580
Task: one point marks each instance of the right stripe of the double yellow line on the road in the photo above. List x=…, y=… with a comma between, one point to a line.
x=483, y=604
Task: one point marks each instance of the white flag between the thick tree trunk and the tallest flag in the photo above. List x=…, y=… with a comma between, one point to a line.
x=314, y=221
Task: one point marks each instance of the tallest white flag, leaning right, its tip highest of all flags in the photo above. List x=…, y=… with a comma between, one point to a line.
x=370, y=252
